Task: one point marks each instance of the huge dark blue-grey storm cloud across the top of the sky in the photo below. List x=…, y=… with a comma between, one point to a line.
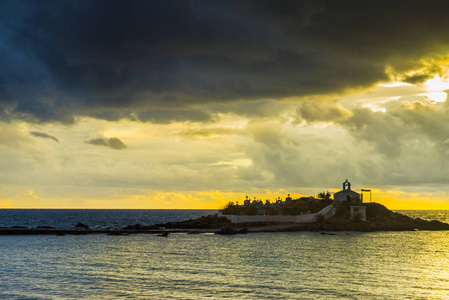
x=62, y=59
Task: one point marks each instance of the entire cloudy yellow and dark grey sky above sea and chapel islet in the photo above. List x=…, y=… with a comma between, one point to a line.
x=189, y=104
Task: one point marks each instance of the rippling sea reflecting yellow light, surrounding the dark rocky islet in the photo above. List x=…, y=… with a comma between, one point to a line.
x=290, y=265
